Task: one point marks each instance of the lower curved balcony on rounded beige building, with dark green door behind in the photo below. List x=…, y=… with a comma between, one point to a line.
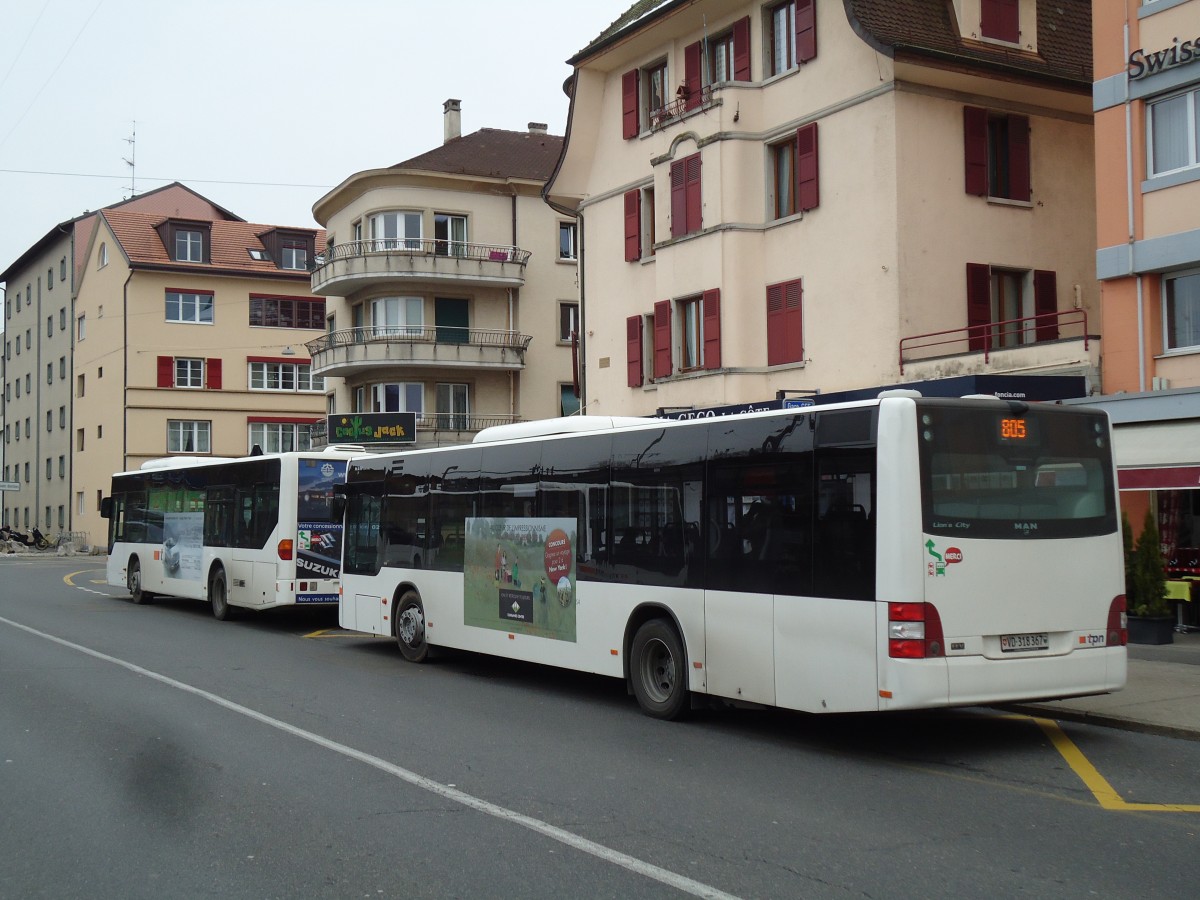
x=353, y=351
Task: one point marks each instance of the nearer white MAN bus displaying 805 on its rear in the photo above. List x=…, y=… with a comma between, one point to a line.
x=896, y=554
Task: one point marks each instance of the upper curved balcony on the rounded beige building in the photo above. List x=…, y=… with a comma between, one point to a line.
x=347, y=268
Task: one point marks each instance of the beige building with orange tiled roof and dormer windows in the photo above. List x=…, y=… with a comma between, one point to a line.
x=190, y=328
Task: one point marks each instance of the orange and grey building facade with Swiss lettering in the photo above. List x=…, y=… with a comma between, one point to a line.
x=1148, y=170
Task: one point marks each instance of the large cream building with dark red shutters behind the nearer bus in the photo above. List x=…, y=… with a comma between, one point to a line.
x=818, y=196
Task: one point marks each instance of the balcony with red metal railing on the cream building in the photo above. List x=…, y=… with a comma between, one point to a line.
x=1054, y=341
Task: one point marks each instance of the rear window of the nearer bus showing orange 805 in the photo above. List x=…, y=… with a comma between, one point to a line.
x=1007, y=472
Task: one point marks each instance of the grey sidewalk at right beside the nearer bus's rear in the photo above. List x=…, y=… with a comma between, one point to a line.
x=1162, y=695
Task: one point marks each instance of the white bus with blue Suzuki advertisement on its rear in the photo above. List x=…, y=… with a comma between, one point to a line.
x=255, y=532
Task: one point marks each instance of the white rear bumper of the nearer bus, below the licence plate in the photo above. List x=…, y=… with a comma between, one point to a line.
x=977, y=681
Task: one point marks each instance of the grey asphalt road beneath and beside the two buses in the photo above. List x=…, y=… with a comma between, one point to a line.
x=154, y=752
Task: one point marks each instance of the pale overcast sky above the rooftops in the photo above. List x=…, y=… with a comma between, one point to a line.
x=262, y=106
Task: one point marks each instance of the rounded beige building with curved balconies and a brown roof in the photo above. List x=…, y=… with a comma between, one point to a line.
x=453, y=289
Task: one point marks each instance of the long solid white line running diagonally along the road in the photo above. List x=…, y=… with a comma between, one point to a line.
x=571, y=839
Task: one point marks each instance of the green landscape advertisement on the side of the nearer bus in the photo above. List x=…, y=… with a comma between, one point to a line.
x=519, y=577
